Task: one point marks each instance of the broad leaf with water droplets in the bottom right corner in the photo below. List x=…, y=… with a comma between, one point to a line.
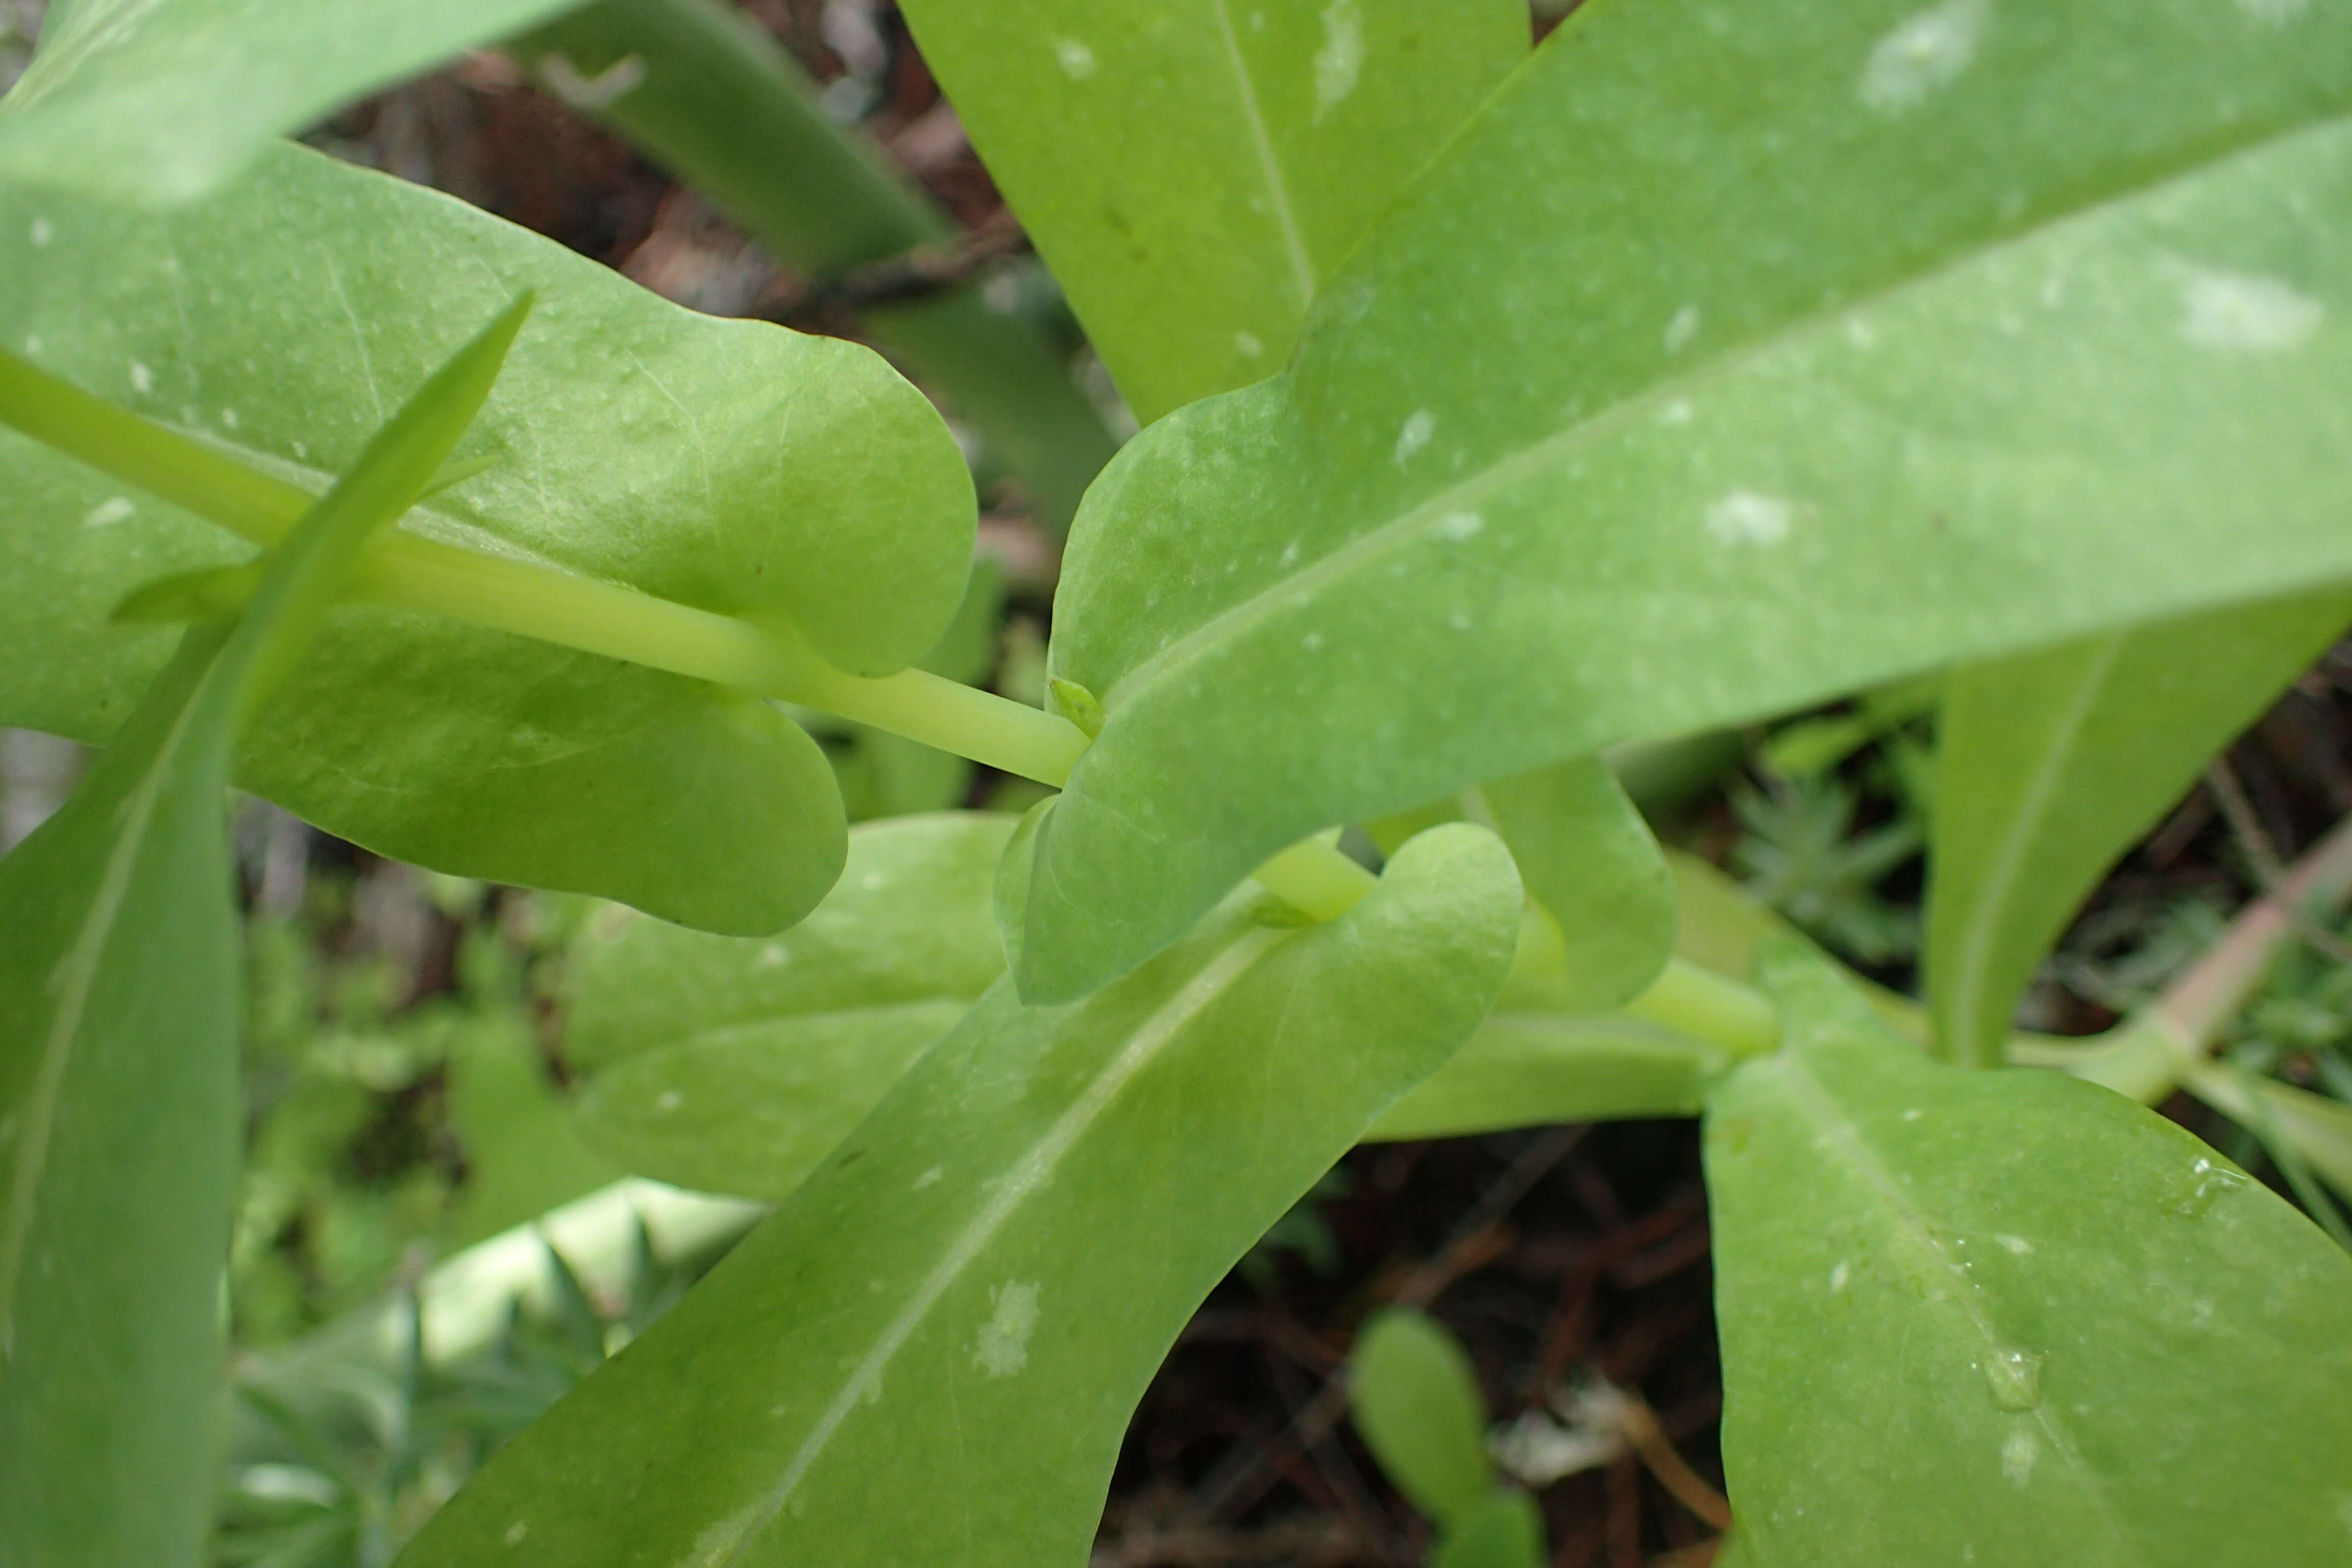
x=2050, y=1322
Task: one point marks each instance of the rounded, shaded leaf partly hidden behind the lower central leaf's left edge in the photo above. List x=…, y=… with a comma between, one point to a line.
x=737, y=1066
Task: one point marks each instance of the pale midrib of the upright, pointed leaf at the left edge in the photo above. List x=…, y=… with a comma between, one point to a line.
x=79, y=972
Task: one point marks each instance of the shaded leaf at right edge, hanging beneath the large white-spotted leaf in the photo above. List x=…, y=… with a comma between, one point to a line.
x=2052, y=765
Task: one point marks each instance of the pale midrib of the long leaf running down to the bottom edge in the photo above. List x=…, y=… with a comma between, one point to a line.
x=1017, y=1186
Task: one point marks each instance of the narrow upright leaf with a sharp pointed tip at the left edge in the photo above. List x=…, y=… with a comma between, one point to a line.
x=119, y=1057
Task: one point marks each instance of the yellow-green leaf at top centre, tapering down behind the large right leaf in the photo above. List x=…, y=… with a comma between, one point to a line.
x=1196, y=170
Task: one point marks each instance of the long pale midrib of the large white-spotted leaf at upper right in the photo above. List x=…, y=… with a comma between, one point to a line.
x=1238, y=619
